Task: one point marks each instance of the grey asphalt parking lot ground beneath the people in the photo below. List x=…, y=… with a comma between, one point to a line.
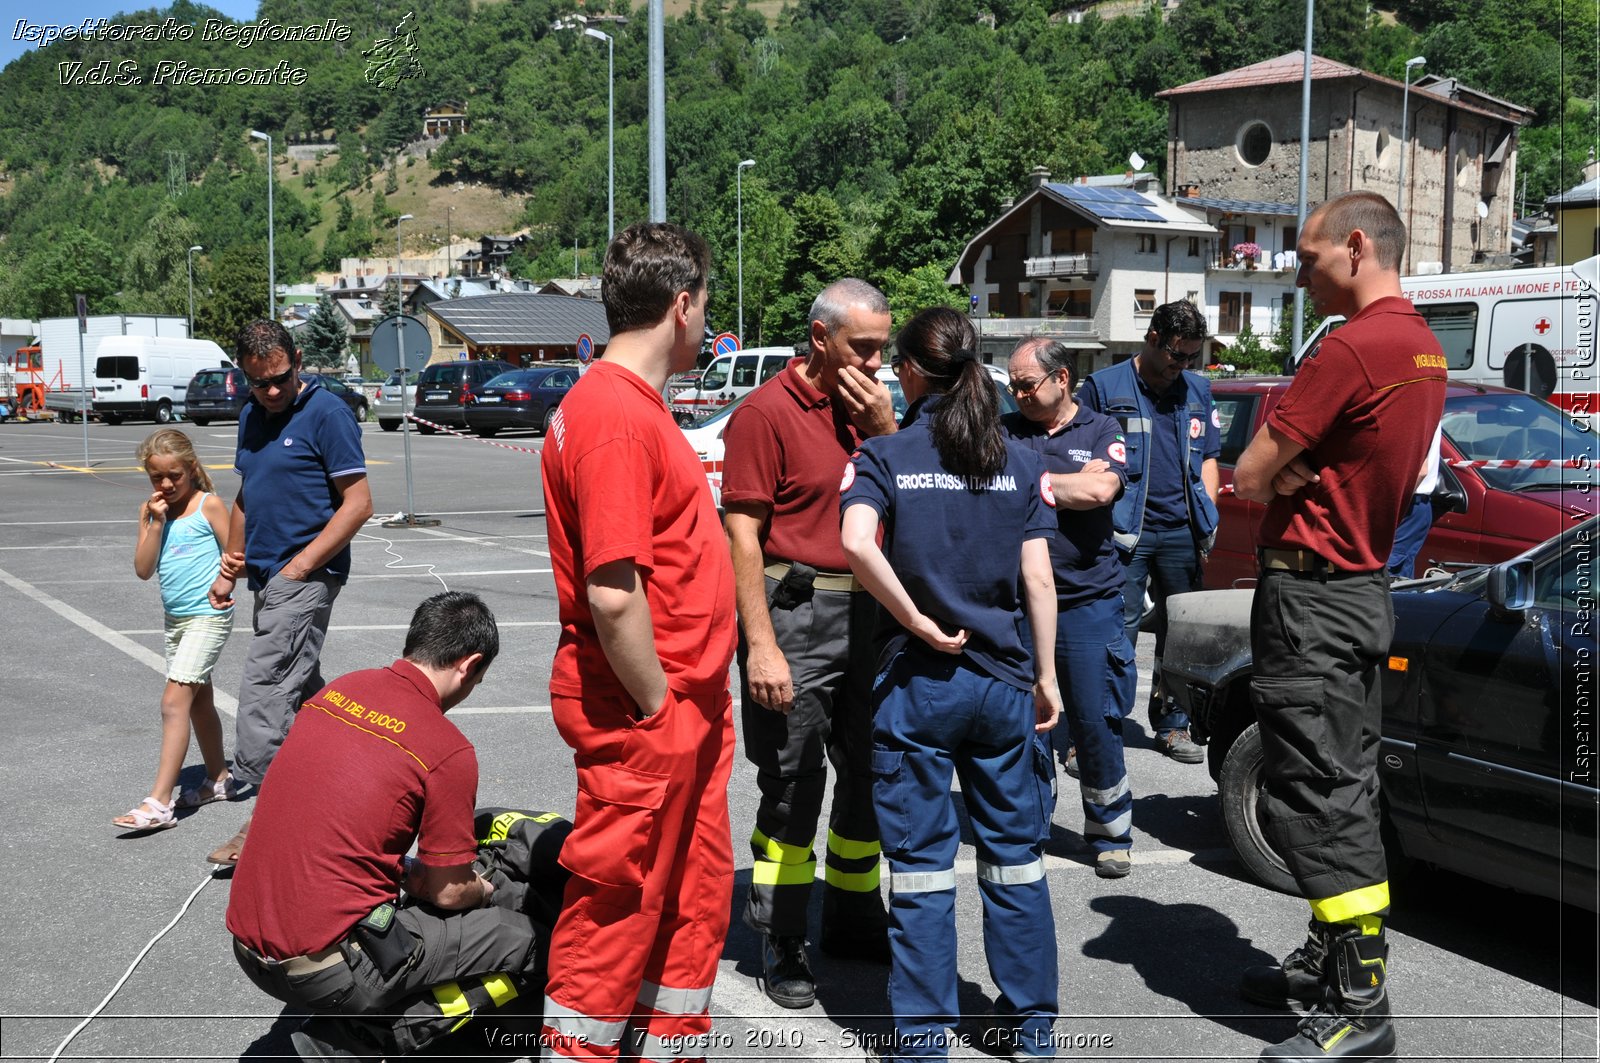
x=1150, y=963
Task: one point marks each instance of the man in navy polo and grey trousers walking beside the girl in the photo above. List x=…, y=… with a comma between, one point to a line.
x=303, y=497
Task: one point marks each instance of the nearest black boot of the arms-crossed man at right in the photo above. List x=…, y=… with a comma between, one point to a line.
x=1353, y=1022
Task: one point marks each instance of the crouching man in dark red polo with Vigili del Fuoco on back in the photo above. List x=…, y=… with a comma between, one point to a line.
x=369, y=768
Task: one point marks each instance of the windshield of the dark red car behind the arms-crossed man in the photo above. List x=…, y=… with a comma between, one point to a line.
x=1500, y=427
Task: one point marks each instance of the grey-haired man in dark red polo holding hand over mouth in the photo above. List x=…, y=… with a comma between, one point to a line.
x=806, y=656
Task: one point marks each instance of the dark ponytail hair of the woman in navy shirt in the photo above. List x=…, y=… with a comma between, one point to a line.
x=940, y=347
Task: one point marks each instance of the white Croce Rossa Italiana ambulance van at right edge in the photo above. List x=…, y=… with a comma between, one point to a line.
x=1526, y=329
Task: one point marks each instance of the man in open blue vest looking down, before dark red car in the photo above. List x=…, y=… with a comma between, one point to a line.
x=1167, y=518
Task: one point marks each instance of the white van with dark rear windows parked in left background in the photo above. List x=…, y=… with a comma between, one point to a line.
x=146, y=379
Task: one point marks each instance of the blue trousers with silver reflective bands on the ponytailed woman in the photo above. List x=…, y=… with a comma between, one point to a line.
x=935, y=716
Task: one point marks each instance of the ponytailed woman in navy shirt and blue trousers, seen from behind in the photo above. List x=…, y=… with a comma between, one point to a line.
x=967, y=521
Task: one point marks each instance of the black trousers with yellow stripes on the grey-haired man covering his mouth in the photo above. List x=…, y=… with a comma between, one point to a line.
x=828, y=643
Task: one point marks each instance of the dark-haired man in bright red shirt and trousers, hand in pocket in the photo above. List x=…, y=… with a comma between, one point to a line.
x=641, y=680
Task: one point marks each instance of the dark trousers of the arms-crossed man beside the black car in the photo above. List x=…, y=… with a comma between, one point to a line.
x=1316, y=689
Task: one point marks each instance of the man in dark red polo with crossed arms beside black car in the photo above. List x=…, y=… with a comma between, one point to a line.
x=1337, y=467
